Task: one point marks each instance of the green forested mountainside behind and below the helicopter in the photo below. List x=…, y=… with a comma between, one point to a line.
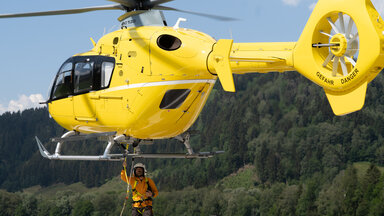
x=286, y=153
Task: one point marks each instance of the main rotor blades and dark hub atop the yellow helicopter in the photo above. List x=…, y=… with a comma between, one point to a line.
x=131, y=7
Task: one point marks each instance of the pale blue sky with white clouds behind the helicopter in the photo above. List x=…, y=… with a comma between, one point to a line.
x=32, y=49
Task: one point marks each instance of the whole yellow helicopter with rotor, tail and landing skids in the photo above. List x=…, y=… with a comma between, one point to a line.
x=150, y=81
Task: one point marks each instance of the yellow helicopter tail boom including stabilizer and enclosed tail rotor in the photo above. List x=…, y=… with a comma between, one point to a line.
x=341, y=49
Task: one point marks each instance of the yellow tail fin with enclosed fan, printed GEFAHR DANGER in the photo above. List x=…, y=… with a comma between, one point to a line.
x=342, y=50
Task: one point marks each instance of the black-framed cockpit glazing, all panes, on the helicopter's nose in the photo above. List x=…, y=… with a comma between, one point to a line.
x=82, y=74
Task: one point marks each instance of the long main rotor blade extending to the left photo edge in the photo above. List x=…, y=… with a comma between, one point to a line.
x=63, y=12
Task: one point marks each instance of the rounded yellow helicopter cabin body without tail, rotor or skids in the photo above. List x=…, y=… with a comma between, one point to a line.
x=145, y=82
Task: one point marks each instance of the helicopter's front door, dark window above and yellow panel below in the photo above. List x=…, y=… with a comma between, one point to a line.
x=83, y=106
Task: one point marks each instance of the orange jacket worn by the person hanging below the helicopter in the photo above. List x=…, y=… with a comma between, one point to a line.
x=139, y=187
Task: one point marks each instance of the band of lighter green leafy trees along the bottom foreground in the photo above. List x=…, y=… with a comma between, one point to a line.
x=236, y=194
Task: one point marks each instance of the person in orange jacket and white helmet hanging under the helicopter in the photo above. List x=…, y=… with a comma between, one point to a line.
x=143, y=190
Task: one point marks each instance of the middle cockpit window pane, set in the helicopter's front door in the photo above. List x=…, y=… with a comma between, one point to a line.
x=83, y=76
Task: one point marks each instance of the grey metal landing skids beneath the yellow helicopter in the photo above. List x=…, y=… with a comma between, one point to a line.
x=120, y=139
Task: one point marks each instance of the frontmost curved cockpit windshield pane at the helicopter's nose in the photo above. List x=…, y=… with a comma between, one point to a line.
x=63, y=84
